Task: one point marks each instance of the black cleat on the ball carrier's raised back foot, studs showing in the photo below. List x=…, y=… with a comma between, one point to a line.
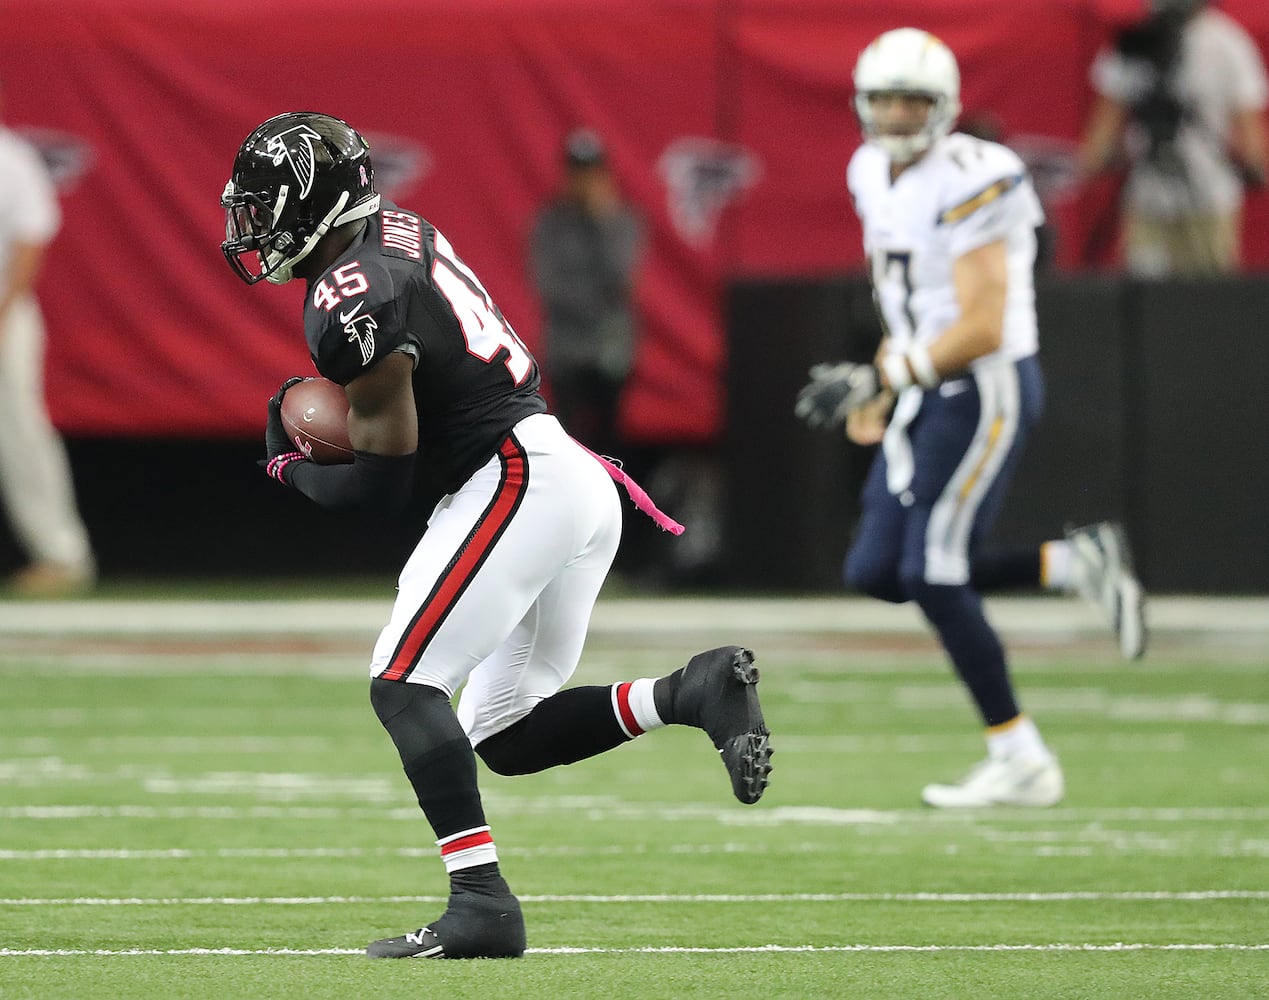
x=719, y=694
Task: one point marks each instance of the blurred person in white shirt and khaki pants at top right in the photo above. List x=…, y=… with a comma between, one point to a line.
x=1181, y=109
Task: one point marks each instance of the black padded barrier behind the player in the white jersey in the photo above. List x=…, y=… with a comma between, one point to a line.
x=1157, y=416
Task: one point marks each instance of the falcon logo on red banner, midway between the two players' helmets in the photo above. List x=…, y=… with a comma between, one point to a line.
x=702, y=177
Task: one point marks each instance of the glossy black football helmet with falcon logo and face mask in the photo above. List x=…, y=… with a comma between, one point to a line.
x=295, y=178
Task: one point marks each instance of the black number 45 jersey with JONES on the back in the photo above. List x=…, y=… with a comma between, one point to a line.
x=402, y=287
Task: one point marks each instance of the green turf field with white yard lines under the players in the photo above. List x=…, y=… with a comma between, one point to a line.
x=220, y=815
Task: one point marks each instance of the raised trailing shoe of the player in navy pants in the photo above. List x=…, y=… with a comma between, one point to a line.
x=1106, y=579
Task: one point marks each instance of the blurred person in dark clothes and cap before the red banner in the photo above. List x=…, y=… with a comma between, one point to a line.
x=584, y=254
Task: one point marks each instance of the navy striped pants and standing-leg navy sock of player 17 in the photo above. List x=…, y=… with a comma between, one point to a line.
x=931, y=499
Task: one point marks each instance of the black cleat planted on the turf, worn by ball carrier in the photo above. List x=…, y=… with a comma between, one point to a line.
x=475, y=926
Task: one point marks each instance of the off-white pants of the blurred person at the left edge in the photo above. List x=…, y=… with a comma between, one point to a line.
x=35, y=477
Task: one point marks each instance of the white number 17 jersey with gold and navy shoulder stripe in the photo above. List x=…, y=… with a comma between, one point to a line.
x=965, y=194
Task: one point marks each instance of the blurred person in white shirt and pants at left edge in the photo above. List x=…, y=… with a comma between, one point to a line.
x=35, y=475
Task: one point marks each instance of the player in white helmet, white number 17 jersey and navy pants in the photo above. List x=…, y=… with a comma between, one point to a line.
x=950, y=232
